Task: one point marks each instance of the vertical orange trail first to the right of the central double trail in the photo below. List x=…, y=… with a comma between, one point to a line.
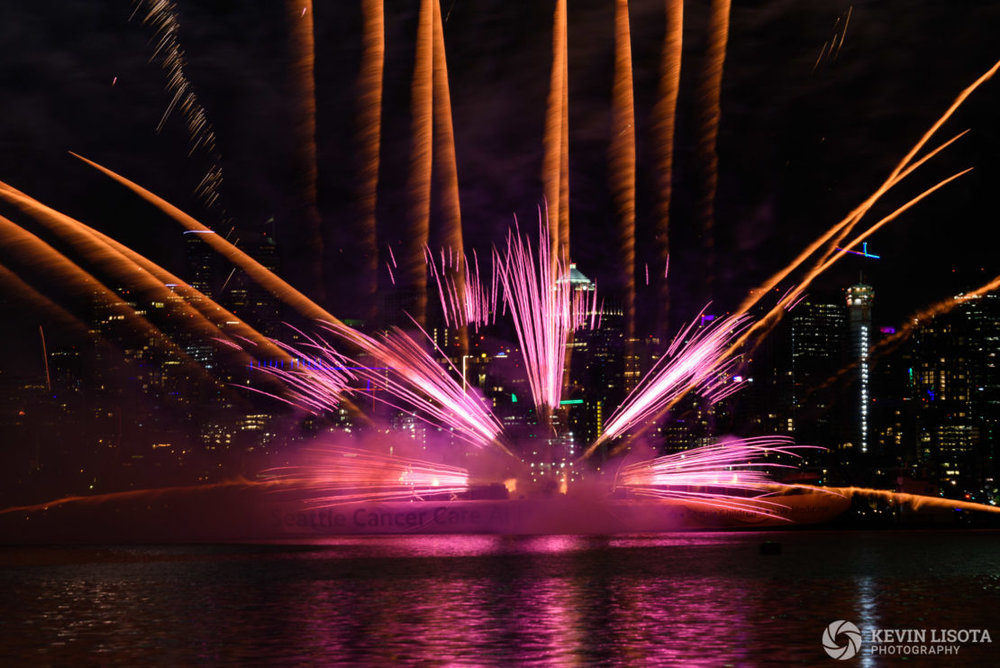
x=623, y=160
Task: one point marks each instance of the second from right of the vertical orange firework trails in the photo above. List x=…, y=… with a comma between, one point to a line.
x=665, y=115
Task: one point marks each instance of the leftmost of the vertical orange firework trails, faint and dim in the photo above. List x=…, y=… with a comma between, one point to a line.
x=310, y=245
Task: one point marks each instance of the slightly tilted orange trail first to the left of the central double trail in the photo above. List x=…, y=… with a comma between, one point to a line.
x=444, y=136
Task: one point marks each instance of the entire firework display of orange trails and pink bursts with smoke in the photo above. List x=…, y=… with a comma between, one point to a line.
x=428, y=421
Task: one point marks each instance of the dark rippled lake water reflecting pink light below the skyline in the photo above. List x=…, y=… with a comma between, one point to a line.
x=683, y=599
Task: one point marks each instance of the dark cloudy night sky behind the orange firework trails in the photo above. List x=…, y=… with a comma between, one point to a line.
x=800, y=143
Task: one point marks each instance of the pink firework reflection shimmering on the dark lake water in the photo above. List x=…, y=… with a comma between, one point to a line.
x=554, y=604
